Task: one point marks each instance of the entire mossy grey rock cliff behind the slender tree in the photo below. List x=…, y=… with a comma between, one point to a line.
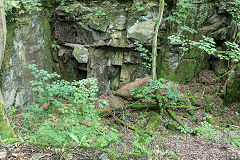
x=97, y=39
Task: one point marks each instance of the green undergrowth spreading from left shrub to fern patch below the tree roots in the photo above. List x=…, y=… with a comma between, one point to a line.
x=65, y=115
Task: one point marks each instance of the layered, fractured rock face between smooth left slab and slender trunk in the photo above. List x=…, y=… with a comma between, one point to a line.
x=100, y=37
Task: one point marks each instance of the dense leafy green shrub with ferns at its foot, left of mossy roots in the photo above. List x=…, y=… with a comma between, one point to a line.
x=65, y=113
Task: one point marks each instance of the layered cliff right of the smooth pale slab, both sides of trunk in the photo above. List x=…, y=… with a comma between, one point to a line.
x=100, y=37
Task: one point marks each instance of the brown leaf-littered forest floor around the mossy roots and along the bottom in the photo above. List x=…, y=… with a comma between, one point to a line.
x=171, y=142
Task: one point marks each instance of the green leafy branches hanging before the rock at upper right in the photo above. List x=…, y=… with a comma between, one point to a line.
x=185, y=20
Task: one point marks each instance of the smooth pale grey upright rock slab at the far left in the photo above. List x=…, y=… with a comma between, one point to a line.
x=26, y=44
